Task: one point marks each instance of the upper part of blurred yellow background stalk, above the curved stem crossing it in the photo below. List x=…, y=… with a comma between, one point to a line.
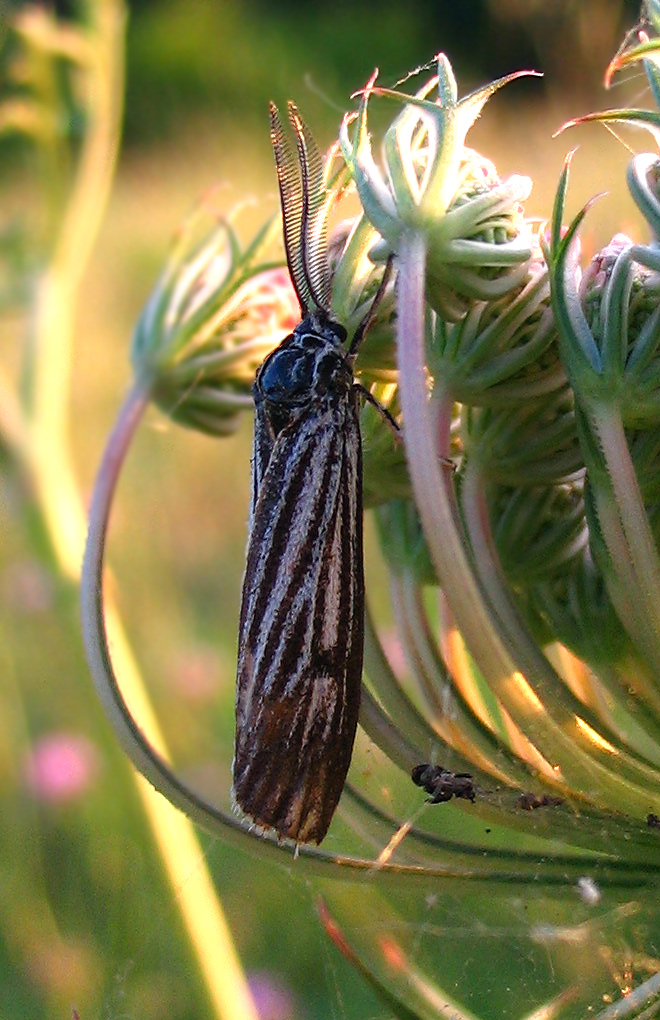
x=49, y=371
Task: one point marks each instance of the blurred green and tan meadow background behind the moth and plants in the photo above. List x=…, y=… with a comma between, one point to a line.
x=87, y=920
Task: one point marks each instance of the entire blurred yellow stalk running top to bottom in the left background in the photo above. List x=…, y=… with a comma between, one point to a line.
x=42, y=450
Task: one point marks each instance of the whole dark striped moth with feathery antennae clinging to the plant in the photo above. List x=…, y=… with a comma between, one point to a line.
x=302, y=615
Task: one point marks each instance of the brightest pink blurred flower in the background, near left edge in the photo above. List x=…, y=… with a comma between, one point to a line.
x=61, y=768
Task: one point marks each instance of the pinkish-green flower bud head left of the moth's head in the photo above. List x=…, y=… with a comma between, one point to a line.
x=214, y=317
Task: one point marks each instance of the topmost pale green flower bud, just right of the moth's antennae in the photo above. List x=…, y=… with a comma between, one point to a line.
x=432, y=184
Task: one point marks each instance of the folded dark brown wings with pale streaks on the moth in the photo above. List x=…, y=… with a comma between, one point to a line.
x=301, y=634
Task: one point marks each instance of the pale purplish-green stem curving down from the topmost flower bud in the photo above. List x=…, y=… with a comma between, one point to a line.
x=581, y=762
